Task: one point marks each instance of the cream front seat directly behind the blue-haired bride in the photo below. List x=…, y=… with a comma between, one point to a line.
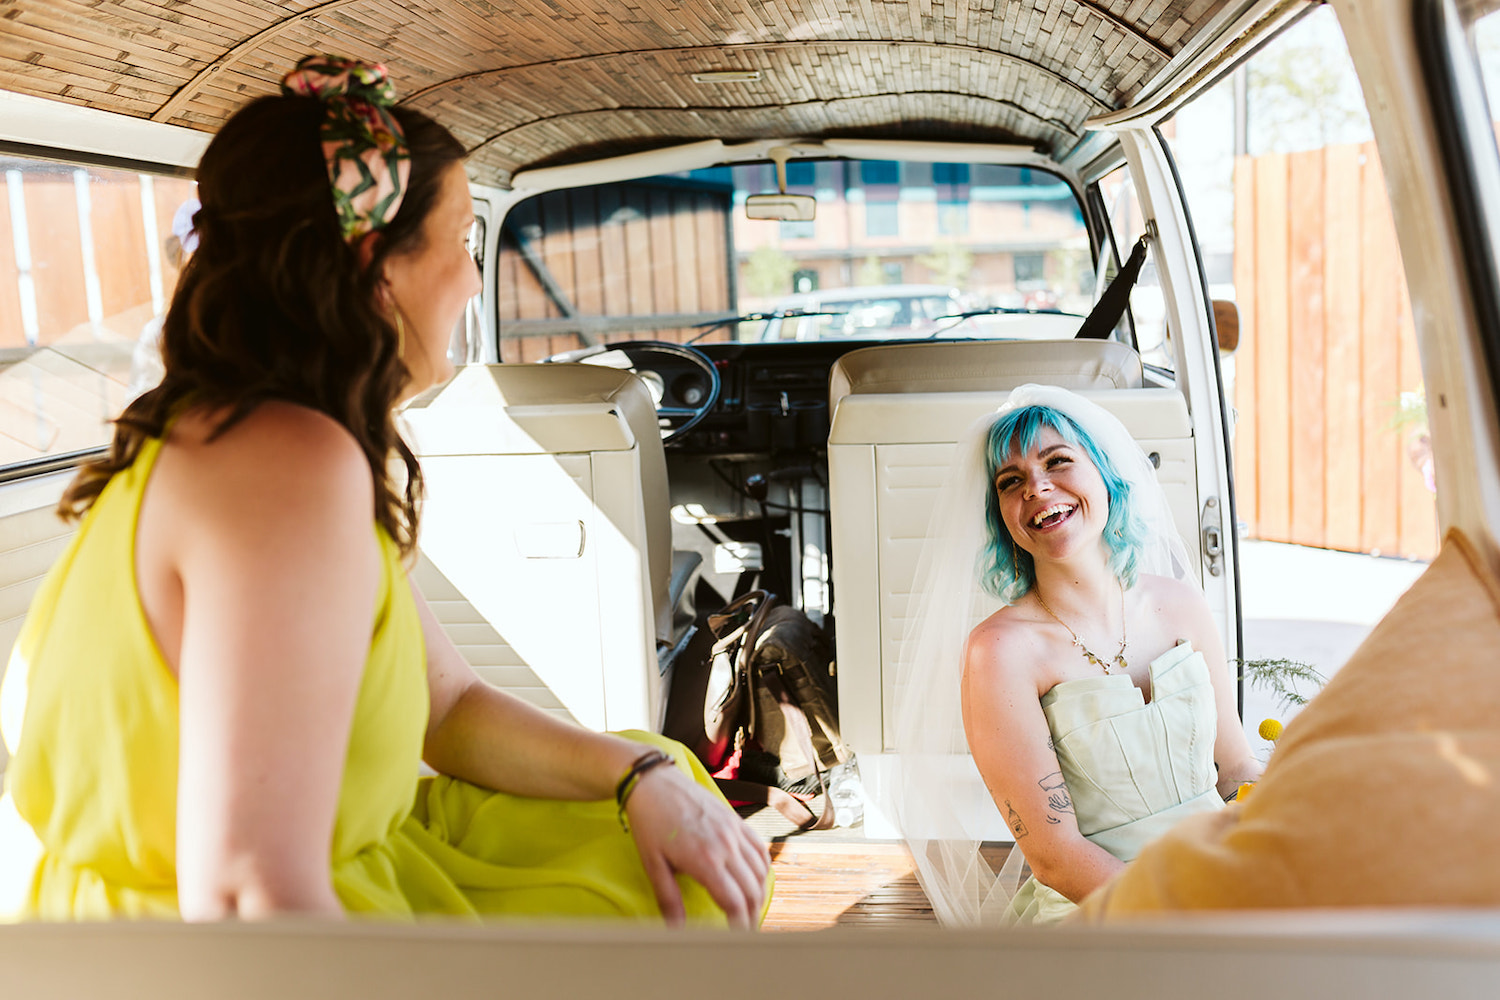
x=899, y=412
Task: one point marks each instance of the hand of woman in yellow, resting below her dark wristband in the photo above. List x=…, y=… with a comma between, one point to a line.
x=683, y=828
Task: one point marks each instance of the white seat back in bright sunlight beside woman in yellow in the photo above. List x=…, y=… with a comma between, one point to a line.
x=547, y=534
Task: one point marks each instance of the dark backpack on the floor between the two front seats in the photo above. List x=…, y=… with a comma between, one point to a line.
x=755, y=698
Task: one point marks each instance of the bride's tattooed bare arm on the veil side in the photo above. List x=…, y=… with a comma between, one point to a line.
x=1012, y=746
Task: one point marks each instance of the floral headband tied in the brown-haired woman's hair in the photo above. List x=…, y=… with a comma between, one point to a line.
x=362, y=143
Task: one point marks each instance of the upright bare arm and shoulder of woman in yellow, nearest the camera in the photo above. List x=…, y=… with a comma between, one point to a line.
x=269, y=533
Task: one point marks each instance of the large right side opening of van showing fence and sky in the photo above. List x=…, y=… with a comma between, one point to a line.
x=1333, y=460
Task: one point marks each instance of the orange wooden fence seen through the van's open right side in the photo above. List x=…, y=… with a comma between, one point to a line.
x=1325, y=355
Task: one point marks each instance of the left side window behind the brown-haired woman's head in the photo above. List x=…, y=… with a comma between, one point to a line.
x=89, y=260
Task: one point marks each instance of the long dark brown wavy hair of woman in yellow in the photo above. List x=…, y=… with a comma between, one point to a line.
x=275, y=305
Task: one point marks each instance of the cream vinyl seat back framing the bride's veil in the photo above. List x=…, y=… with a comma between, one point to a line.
x=889, y=454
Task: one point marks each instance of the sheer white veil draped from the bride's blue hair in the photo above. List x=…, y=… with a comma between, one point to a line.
x=937, y=797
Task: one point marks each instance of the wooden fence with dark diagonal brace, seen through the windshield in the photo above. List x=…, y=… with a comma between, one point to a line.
x=611, y=263
